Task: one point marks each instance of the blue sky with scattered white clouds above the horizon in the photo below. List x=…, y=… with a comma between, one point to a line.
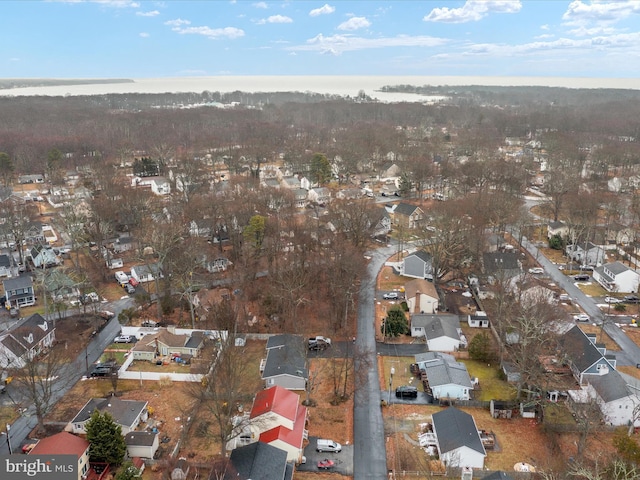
x=175, y=38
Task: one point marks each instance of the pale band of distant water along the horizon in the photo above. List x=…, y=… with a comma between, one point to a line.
x=335, y=85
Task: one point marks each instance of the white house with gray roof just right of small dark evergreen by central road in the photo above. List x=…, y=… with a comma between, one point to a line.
x=442, y=332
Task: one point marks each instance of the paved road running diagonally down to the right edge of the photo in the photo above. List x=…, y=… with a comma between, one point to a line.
x=630, y=352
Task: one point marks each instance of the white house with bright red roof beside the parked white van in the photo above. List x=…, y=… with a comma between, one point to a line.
x=278, y=419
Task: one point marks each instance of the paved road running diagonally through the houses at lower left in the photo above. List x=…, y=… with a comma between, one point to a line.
x=22, y=427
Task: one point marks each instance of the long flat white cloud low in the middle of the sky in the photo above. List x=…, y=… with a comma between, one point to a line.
x=336, y=44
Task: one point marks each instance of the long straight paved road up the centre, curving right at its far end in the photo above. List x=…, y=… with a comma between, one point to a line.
x=369, y=452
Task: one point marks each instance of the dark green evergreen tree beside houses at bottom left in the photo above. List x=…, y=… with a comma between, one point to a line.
x=105, y=437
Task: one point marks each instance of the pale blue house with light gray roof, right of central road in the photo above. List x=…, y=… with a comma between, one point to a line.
x=447, y=379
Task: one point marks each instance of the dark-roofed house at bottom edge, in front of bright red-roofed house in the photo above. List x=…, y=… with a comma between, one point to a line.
x=258, y=461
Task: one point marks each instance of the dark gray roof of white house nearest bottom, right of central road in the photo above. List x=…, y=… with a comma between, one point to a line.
x=454, y=429
